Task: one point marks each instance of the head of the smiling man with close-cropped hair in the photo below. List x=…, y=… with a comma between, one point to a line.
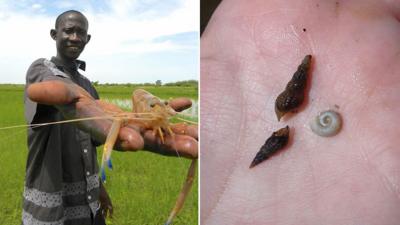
x=70, y=34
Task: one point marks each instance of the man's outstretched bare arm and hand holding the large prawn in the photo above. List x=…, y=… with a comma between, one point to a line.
x=74, y=102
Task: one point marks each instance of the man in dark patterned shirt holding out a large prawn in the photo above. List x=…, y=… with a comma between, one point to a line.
x=62, y=184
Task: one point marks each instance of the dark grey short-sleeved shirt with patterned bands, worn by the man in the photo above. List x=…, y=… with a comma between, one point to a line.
x=61, y=183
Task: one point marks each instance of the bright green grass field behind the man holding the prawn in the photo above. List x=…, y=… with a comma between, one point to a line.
x=143, y=186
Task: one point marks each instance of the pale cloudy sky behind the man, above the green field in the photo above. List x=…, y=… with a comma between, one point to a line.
x=133, y=41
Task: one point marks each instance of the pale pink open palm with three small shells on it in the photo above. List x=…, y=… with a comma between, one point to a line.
x=250, y=51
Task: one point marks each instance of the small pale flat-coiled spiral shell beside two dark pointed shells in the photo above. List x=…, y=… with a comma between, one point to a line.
x=326, y=124
